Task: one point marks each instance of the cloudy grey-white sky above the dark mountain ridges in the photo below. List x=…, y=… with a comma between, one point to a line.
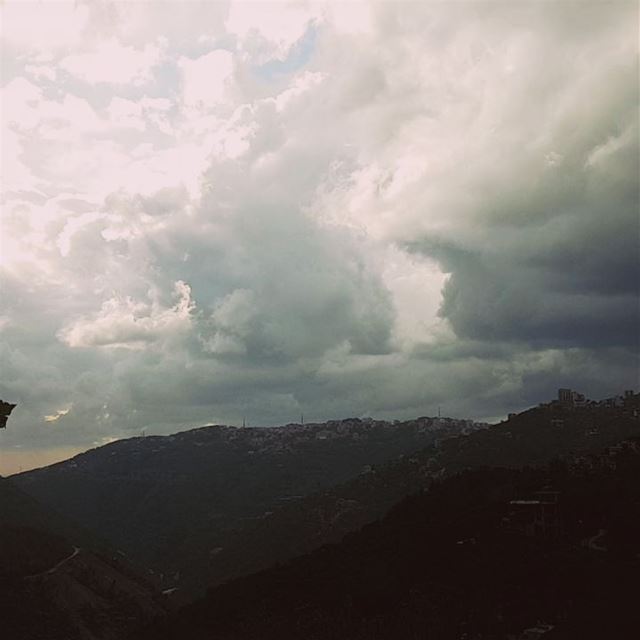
x=223, y=210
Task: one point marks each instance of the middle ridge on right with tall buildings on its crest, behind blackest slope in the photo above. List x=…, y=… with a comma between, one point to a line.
x=533, y=438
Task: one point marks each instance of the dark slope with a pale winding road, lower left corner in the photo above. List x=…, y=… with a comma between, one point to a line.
x=58, y=583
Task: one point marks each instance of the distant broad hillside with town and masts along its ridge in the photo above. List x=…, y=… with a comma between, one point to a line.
x=169, y=502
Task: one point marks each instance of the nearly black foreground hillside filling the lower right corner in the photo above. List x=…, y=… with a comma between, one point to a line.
x=462, y=560
